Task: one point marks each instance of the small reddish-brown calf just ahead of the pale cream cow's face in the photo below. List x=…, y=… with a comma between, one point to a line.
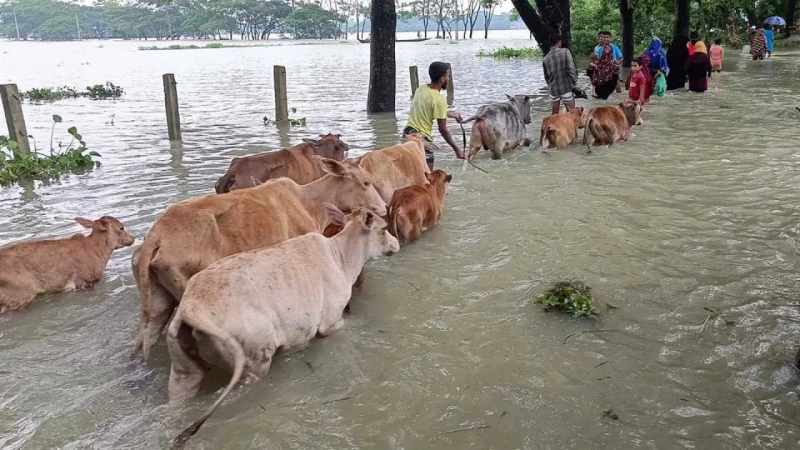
x=417, y=209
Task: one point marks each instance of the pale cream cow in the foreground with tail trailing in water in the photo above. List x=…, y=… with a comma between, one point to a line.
x=245, y=308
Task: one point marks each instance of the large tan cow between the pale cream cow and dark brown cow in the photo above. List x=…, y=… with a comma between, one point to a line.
x=193, y=234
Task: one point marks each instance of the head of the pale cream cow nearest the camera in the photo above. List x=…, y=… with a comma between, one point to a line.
x=366, y=224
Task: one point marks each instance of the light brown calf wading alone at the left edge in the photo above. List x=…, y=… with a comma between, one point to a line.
x=75, y=263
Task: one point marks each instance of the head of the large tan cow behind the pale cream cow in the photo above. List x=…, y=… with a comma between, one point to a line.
x=351, y=187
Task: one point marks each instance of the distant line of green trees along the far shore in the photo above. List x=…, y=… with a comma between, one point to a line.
x=236, y=19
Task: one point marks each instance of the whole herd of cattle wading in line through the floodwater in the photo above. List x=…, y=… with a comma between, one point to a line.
x=270, y=261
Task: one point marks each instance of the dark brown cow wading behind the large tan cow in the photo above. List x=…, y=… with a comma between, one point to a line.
x=295, y=162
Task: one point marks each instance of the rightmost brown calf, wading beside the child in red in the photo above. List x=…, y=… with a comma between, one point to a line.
x=608, y=124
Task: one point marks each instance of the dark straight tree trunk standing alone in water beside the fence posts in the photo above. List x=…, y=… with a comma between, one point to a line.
x=382, y=71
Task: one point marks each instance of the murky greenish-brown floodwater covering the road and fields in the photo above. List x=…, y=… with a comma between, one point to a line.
x=444, y=348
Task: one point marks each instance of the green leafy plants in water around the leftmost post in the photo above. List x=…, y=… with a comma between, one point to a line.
x=16, y=166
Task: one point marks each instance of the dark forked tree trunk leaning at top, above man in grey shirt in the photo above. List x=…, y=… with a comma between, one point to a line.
x=553, y=16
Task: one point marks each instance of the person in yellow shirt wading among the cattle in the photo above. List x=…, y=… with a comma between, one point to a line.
x=429, y=105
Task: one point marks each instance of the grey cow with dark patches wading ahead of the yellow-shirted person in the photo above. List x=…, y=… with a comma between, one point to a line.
x=500, y=126
